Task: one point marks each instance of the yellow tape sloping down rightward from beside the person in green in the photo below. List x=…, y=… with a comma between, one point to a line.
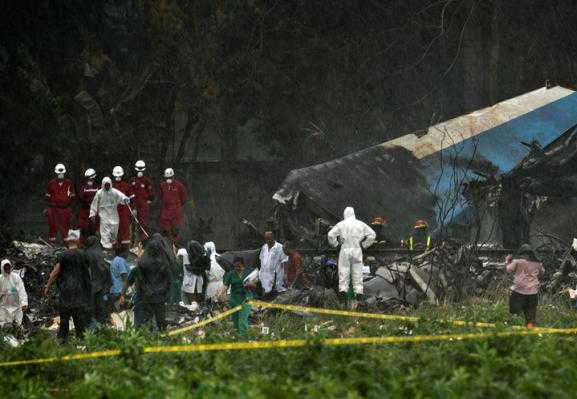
x=364, y=315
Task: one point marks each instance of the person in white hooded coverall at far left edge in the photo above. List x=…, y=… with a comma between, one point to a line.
x=13, y=297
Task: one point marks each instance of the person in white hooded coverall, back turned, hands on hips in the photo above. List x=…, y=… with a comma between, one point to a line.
x=352, y=234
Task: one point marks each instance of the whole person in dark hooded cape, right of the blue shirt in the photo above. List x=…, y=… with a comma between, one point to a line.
x=152, y=279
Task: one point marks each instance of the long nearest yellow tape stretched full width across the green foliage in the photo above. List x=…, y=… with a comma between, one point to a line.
x=298, y=343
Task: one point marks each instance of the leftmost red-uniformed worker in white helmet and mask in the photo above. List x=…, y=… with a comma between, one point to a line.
x=59, y=193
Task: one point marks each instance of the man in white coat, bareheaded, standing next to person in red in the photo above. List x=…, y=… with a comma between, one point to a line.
x=271, y=272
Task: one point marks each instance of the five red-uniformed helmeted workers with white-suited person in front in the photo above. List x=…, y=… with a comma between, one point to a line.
x=113, y=206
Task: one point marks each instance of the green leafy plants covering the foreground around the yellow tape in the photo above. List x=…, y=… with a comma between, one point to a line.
x=535, y=366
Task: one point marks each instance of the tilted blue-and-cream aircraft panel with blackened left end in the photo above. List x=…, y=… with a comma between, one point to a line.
x=423, y=176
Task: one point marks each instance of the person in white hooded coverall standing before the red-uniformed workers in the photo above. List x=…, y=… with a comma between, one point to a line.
x=105, y=205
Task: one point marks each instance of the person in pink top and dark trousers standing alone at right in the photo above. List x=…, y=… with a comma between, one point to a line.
x=526, y=270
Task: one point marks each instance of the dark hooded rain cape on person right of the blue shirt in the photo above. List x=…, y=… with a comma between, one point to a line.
x=154, y=276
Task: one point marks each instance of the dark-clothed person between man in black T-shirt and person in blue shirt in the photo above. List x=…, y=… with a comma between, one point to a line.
x=100, y=278
